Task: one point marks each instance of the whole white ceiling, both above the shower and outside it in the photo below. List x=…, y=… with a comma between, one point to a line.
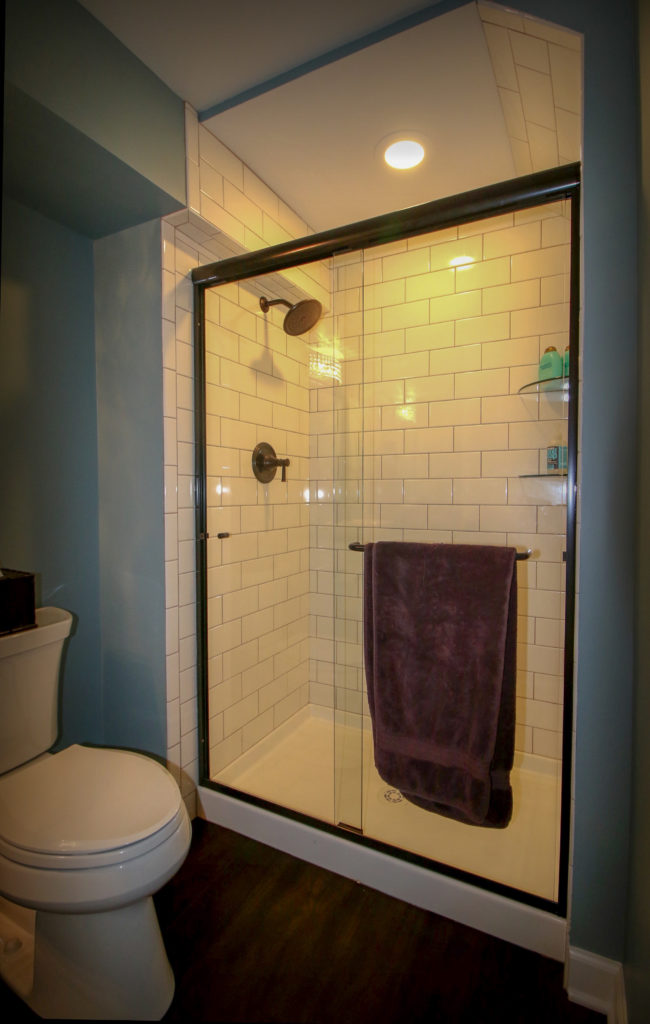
x=315, y=140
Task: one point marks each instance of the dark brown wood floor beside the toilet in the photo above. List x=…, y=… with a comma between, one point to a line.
x=256, y=935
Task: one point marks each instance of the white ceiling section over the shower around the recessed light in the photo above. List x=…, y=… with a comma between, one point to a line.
x=314, y=136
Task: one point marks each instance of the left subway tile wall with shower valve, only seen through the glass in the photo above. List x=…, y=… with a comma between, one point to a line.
x=258, y=578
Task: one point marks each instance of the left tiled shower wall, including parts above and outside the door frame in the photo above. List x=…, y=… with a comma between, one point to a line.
x=256, y=392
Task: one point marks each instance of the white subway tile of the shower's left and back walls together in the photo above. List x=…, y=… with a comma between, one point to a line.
x=402, y=419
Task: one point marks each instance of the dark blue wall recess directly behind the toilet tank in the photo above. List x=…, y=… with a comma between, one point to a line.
x=49, y=440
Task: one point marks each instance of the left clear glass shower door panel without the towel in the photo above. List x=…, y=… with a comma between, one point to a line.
x=263, y=546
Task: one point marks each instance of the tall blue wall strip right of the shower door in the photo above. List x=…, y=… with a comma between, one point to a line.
x=609, y=556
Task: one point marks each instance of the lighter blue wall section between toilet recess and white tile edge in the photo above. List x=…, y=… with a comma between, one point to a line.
x=128, y=337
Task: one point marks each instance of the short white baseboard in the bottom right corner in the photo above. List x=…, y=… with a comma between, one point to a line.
x=597, y=984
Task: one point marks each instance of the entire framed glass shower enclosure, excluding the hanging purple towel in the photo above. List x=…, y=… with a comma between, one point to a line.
x=410, y=411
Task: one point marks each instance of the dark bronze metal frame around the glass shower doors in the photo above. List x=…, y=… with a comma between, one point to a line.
x=507, y=197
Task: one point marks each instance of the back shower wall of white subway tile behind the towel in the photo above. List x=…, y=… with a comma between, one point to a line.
x=437, y=445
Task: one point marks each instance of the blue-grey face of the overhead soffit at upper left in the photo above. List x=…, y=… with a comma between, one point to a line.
x=66, y=61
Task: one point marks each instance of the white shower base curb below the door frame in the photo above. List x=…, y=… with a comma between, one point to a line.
x=505, y=919
